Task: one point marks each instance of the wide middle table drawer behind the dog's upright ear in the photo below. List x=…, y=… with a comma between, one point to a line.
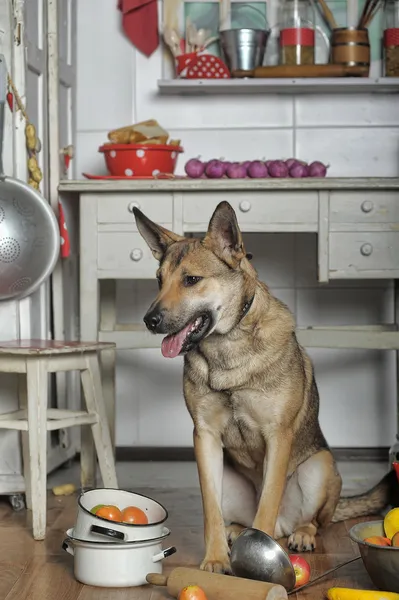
x=259, y=211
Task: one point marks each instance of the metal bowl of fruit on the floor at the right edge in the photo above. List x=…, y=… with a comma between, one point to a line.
x=378, y=543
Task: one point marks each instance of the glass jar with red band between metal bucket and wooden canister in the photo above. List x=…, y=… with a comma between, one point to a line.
x=297, y=33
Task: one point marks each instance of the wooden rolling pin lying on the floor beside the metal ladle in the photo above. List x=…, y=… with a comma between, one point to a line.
x=218, y=587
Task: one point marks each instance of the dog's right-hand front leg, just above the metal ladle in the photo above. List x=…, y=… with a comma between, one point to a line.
x=274, y=479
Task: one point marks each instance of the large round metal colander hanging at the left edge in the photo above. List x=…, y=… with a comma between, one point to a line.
x=29, y=233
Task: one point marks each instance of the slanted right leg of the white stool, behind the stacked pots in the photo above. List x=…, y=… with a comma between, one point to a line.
x=91, y=382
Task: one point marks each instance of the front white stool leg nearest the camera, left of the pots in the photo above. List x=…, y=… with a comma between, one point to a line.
x=37, y=396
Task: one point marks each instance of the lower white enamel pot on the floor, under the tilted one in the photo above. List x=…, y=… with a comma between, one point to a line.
x=116, y=565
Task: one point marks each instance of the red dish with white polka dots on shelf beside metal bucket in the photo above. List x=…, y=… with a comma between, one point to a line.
x=201, y=66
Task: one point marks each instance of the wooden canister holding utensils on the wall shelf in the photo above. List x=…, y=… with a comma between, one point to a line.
x=350, y=47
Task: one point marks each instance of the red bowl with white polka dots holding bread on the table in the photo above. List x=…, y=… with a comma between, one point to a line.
x=140, y=160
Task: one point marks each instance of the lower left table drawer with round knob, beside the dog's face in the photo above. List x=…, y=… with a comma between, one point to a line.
x=125, y=253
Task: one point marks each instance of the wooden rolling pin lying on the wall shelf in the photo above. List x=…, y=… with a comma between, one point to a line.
x=303, y=71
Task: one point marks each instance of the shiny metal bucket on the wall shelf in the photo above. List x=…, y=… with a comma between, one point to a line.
x=243, y=49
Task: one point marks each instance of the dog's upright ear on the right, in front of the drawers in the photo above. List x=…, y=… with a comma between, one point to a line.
x=224, y=236
